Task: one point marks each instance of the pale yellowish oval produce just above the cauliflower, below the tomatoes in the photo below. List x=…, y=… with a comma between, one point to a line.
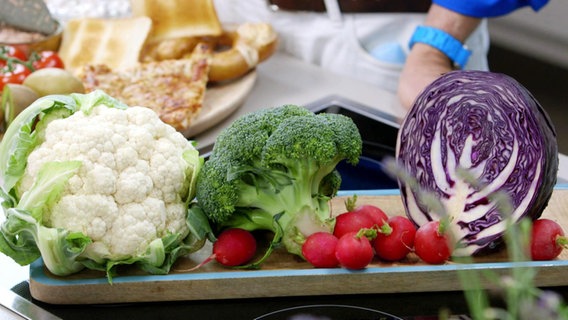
x=53, y=81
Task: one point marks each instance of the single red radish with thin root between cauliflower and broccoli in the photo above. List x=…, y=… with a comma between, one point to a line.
x=233, y=247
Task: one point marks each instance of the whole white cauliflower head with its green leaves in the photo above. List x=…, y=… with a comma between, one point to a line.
x=112, y=183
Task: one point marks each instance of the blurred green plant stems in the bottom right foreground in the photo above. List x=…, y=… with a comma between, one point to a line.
x=519, y=298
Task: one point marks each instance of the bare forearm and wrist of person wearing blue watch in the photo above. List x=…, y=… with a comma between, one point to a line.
x=425, y=63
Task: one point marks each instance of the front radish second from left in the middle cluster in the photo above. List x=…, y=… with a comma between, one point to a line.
x=354, y=249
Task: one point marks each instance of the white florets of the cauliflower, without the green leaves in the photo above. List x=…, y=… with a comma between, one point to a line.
x=132, y=186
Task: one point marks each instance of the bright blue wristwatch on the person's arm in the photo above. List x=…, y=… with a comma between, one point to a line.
x=443, y=41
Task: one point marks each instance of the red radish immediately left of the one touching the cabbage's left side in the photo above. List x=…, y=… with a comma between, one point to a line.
x=395, y=239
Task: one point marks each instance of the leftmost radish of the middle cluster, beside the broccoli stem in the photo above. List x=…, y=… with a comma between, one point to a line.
x=319, y=250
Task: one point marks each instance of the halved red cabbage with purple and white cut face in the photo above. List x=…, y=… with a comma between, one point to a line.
x=491, y=126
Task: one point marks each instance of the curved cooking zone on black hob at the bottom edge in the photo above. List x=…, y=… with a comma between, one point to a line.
x=327, y=312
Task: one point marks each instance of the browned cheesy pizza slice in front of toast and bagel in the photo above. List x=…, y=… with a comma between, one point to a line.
x=174, y=89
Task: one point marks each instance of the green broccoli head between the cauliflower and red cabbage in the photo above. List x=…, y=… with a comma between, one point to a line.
x=275, y=169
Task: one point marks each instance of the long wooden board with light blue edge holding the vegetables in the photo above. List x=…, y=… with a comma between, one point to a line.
x=286, y=275
